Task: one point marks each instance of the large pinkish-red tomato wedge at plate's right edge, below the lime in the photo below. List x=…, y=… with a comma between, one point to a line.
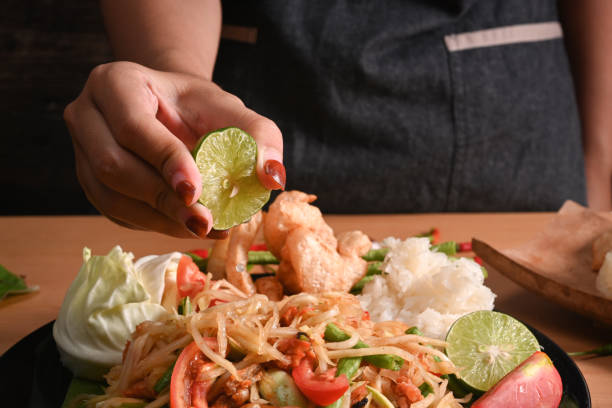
x=534, y=383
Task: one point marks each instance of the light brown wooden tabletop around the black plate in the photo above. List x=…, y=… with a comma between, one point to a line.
x=47, y=250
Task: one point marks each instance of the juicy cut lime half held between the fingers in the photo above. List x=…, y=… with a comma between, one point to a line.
x=230, y=188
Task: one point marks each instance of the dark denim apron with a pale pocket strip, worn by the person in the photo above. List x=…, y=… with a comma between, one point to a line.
x=412, y=106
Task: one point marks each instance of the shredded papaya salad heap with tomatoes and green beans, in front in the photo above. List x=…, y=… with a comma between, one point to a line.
x=305, y=350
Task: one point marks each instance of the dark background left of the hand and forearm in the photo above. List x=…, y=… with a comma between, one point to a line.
x=47, y=49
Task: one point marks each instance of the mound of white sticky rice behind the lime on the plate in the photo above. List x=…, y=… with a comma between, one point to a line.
x=425, y=288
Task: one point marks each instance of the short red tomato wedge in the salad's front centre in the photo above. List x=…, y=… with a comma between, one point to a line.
x=322, y=389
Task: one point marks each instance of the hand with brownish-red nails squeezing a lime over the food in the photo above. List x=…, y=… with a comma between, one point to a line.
x=133, y=129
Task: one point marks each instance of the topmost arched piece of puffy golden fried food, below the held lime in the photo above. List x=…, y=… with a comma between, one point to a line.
x=290, y=210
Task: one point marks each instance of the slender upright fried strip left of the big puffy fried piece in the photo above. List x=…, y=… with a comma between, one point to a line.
x=240, y=241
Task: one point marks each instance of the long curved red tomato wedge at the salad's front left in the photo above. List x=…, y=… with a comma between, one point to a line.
x=185, y=390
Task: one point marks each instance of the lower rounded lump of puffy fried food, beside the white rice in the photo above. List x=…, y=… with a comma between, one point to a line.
x=311, y=264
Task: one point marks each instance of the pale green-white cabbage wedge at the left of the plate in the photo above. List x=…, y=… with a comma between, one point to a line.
x=107, y=300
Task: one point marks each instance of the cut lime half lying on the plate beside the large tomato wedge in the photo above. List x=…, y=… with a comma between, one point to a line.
x=486, y=345
